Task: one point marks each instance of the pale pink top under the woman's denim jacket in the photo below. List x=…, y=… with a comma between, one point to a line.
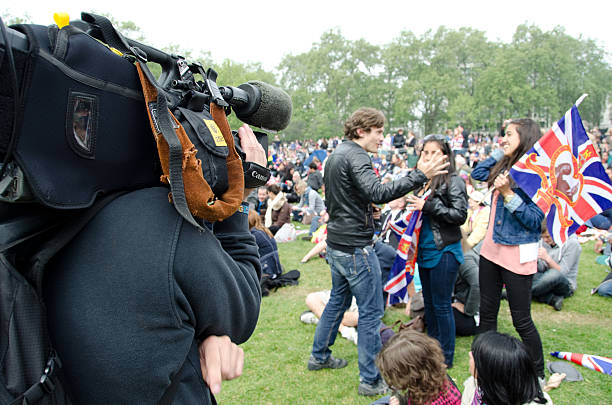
x=506, y=256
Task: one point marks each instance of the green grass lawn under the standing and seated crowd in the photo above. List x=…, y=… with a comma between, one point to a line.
x=276, y=355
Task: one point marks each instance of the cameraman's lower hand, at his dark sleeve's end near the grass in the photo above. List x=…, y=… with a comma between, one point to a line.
x=220, y=360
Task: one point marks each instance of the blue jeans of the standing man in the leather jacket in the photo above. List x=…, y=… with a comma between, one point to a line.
x=358, y=275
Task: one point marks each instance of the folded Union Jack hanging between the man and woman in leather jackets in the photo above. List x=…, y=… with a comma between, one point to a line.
x=404, y=265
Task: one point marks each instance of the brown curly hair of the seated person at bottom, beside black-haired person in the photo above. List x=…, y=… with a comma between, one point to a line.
x=413, y=362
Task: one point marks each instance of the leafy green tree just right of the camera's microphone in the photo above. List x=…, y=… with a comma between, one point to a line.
x=327, y=83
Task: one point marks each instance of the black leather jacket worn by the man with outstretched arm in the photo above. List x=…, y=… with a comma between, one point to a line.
x=351, y=186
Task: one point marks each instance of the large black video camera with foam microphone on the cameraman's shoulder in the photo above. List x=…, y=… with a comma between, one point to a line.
x=57, y=70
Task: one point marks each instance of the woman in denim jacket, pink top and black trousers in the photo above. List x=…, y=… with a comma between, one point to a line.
x=510, y=249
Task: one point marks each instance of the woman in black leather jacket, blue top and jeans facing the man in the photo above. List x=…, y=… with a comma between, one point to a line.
x=439, y=248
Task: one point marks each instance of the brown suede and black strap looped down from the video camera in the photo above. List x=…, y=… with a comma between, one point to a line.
x=191, y=194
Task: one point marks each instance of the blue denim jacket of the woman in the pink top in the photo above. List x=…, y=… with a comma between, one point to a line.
x=517, y=222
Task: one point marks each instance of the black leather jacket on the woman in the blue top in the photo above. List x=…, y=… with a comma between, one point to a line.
x=447, y=211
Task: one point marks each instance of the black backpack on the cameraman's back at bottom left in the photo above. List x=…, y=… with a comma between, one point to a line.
x=30, y=370
